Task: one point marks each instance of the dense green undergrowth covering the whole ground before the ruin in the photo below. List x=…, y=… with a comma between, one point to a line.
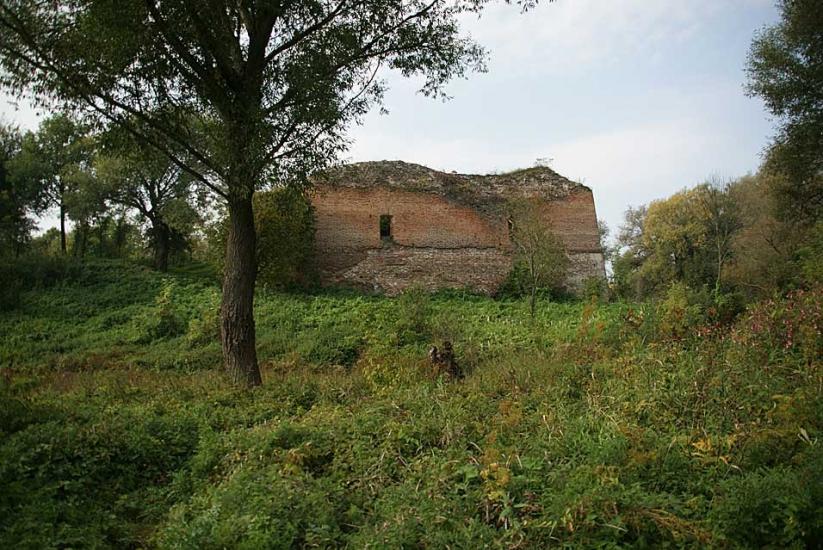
x=595, y=425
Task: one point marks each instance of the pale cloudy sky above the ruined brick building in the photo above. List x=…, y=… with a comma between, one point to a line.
x=635, y=98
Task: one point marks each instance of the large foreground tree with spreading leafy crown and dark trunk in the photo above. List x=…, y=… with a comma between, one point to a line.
x=278, y=82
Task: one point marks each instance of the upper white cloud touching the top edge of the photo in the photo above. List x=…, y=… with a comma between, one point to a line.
x=579, y=35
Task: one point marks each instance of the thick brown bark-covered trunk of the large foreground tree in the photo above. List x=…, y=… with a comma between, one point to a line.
x=237, y=308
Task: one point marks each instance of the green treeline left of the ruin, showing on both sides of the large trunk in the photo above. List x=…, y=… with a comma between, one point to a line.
x=116, y=197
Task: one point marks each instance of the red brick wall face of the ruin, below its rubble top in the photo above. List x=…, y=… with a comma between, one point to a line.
x=436, y=242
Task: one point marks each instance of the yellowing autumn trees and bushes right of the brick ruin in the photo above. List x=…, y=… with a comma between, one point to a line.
x=729, y=241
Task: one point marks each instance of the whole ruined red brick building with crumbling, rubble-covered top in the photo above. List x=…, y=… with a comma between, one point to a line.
x=388, y=225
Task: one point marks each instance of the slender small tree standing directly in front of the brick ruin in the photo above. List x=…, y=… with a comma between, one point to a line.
x=538, y=252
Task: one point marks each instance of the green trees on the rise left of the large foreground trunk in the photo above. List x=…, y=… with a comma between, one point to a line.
x=114, y=196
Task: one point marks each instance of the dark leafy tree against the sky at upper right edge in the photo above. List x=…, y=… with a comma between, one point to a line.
x=785, y=68
